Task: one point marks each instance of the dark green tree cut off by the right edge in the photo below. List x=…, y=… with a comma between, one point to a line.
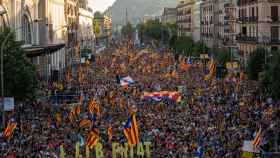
x=271, y=77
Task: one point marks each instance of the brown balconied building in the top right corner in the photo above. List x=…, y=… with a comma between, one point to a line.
x=258, y=25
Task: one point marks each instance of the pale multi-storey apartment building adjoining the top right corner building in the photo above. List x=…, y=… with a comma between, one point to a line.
x=218, y=24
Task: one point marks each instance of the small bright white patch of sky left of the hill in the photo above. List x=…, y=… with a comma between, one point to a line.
x=100, y=5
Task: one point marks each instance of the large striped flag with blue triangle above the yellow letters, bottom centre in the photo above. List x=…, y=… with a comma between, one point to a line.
x=131, y=130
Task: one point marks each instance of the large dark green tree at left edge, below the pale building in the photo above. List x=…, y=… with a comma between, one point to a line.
x=19, y=74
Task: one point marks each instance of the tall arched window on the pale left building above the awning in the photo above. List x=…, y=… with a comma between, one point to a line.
x=26, y=30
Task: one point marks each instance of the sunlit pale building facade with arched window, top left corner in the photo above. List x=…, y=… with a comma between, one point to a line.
x=33, y=22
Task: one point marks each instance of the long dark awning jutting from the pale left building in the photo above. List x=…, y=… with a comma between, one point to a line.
x=34, y=51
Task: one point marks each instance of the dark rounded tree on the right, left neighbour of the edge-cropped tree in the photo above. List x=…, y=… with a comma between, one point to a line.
x=256, y=64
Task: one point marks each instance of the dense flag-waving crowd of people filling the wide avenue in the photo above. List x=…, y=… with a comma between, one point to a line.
x=212, y=120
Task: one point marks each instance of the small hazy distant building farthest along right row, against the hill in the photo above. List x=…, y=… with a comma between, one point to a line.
x=169, y=15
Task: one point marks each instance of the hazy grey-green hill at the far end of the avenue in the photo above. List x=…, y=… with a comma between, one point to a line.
x=137, y=9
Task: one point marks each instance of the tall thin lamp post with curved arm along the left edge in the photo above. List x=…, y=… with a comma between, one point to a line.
x=2, y=67
